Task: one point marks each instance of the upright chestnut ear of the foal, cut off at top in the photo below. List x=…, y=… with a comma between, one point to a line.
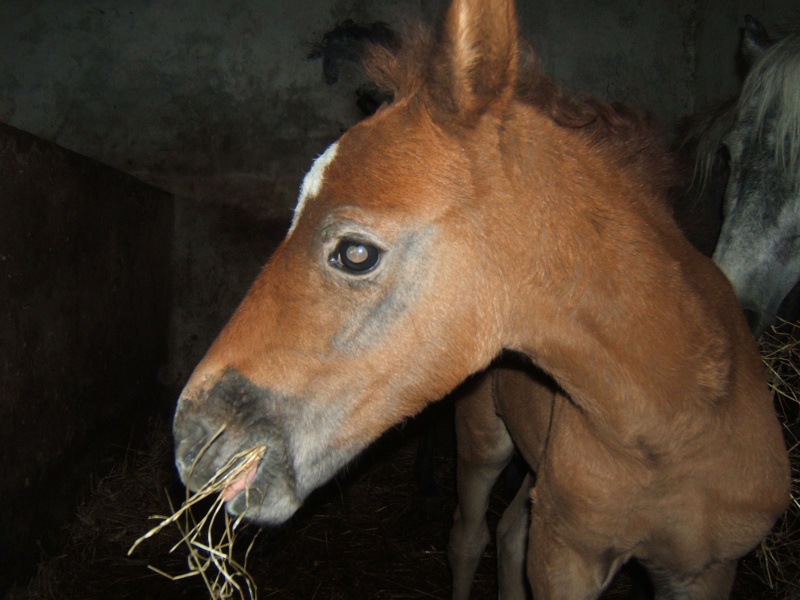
x=474, y=69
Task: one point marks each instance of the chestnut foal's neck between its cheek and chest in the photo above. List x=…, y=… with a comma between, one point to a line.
x=613, y=300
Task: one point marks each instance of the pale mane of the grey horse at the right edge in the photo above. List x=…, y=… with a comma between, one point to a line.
x=772, y=86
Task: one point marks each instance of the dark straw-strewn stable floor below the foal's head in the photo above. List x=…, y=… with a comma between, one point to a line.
x=369, y=534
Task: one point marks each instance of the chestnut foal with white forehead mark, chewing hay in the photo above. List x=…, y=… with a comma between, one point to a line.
x=486, y=210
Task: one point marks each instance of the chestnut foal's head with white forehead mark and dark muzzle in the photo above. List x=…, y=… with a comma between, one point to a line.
x=384, y=295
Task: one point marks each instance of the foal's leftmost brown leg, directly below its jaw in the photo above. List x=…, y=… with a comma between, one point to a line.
x=484, y=449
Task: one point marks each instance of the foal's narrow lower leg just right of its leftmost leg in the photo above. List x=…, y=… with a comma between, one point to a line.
x=512, y=537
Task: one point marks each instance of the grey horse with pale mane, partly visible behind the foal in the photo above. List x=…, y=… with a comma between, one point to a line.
x=749, y=150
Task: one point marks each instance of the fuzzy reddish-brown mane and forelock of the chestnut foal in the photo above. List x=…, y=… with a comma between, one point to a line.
x=628, y=138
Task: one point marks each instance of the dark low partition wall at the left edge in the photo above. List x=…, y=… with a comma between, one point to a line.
x=85, y=296
